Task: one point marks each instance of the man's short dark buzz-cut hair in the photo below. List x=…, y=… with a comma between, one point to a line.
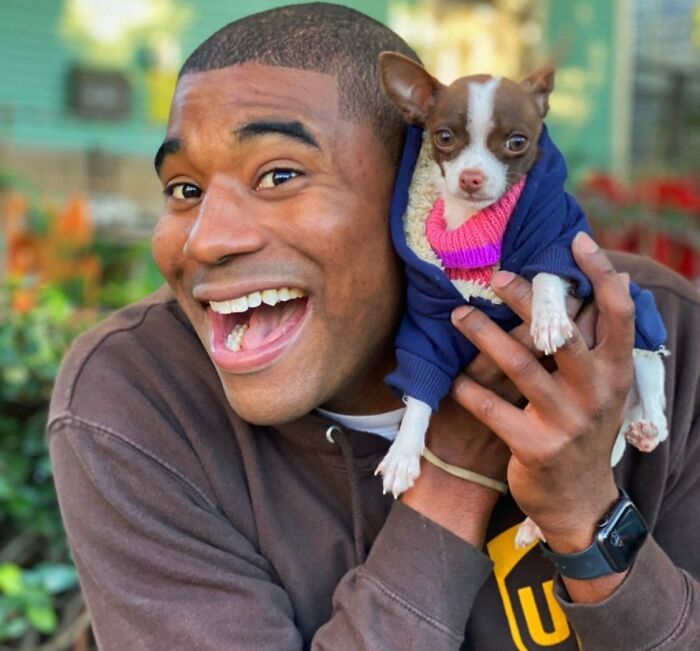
x=322, y=37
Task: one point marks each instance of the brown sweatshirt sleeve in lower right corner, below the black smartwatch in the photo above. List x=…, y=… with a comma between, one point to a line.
x=658, y=605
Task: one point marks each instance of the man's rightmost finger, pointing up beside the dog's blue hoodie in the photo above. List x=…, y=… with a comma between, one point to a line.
x=615, y=330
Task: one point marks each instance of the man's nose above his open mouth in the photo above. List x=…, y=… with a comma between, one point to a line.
x=223, y=229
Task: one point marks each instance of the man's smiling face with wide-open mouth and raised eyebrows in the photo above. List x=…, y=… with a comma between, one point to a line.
x=269, y=188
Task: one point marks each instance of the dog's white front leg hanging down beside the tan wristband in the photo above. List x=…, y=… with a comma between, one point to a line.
x=401, y=466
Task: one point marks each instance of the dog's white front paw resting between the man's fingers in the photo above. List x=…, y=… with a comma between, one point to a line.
x=550, y=327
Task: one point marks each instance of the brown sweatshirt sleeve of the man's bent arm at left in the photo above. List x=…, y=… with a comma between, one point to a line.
x=162, y=568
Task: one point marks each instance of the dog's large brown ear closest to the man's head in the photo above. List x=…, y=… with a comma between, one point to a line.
x=408, y=85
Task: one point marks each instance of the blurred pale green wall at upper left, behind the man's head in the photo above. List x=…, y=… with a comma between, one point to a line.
x=35, y=60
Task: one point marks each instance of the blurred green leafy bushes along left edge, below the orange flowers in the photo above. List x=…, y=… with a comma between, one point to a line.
x=32, y=344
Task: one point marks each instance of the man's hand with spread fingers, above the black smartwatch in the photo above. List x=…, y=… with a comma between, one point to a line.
x=559, y=472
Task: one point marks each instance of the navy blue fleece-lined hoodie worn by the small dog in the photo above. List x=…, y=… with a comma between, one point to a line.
x=430, y=351
